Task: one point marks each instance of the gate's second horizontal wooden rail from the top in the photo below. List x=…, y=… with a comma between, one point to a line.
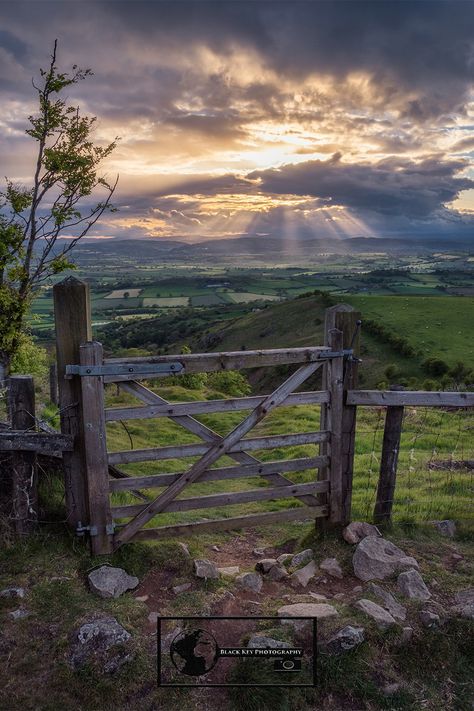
x=179, y=409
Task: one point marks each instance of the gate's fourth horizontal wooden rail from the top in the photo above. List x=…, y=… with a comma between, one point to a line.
x=244, y=470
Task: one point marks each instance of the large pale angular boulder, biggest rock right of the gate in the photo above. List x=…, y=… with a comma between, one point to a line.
x=377, y=559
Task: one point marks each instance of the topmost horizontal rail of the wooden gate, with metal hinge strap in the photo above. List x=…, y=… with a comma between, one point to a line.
x=231, y=360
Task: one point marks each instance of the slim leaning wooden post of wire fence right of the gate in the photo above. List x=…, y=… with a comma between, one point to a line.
x=388, y=464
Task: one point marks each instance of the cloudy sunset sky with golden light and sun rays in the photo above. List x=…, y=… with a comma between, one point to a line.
x=294, y=120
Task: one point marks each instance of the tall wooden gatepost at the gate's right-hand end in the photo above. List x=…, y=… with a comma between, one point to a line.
x=343, y=318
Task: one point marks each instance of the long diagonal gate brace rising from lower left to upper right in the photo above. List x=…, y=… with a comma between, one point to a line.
x=218, y=450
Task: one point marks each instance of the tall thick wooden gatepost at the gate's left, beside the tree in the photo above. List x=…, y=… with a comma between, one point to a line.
x=73, y=326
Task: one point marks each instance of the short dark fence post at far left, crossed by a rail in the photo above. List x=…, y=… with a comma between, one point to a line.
x=24, y=464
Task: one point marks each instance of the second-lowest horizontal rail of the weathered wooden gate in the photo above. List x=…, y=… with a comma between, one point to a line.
x=229, y=499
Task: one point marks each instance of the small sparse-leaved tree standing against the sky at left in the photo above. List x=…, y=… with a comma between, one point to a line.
x=32, y=219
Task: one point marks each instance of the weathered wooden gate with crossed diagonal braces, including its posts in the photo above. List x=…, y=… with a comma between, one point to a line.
x=89, y=500
